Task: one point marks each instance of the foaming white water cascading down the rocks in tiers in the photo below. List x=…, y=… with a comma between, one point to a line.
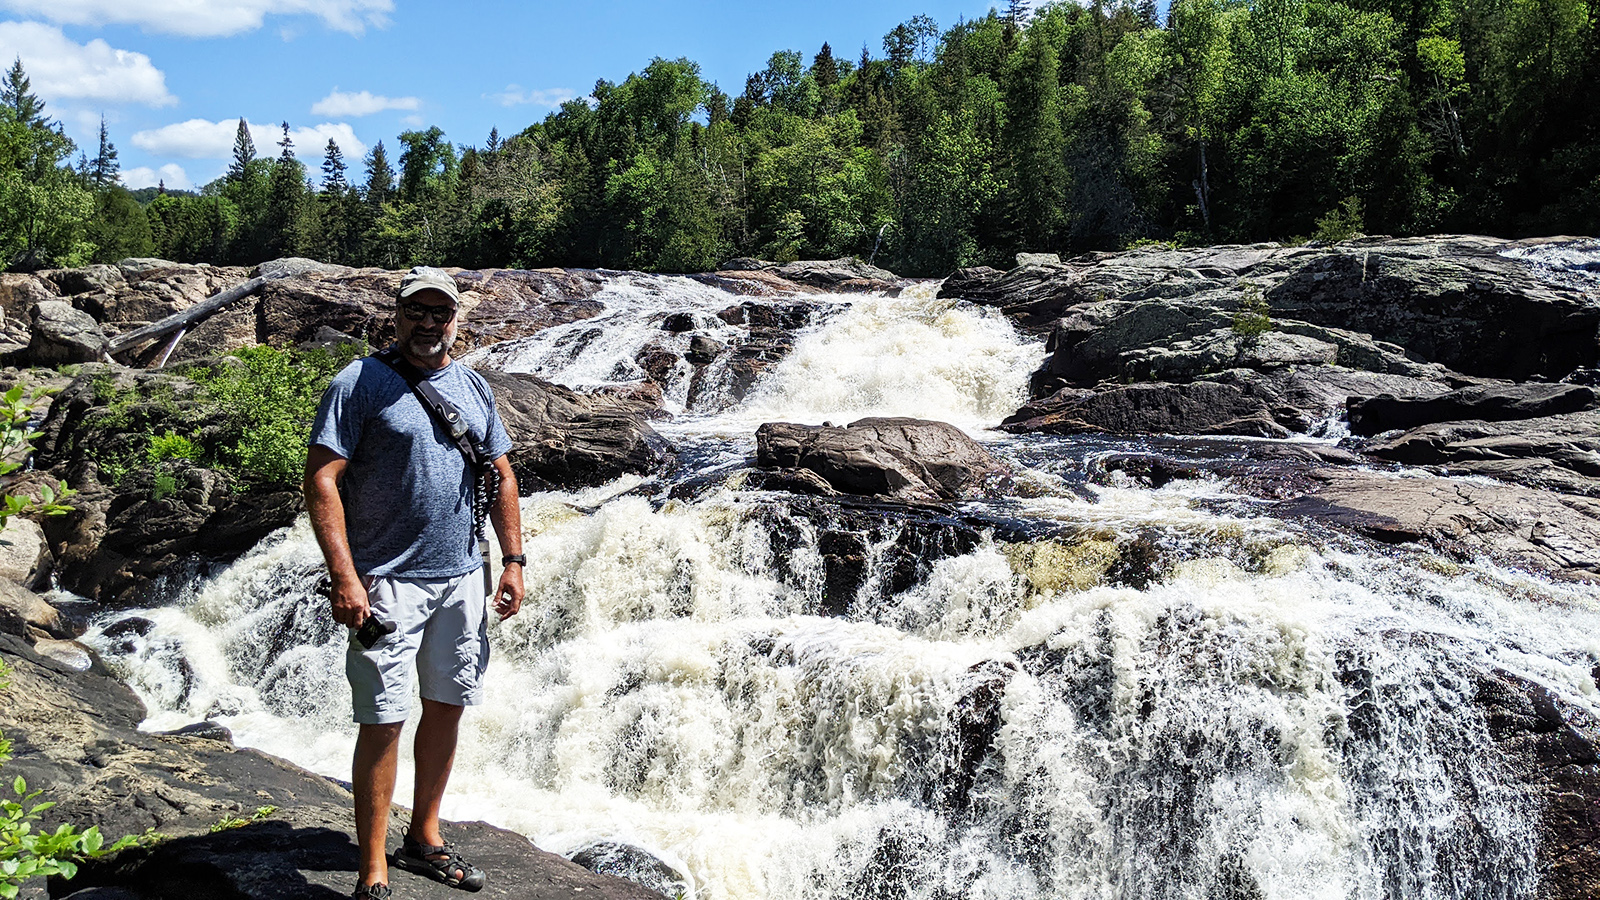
x=1079, y=693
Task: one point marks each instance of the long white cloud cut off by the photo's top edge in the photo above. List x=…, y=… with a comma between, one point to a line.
x=204, y=18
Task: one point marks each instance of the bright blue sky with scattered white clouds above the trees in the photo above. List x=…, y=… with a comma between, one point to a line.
x=172, y=78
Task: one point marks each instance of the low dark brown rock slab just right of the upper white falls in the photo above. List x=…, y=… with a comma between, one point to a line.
x=1201, y=408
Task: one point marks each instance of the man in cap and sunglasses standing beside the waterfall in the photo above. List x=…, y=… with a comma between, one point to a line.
x=391, y=500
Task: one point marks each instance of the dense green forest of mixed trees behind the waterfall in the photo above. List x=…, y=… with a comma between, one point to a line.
x=1078, y=127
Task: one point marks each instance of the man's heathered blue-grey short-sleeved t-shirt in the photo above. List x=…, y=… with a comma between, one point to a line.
x=407, y=489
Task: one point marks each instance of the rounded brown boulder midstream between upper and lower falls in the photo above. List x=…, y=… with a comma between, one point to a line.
x=884, y=457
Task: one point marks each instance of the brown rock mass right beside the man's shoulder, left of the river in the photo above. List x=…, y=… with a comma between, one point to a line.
x=569, y=440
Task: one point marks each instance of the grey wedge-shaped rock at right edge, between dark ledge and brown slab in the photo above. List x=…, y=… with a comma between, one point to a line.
x=1553, y=452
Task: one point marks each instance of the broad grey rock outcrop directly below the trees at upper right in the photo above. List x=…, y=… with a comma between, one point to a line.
x=1457, y=302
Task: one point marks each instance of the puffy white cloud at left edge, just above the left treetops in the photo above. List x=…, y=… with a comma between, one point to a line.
x=65, y=70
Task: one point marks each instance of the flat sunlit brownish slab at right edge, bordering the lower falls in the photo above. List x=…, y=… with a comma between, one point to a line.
x=1537, y=529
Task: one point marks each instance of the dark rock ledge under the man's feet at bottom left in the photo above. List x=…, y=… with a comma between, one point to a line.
x=76, y=737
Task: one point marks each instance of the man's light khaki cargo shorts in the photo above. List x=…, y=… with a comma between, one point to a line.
x=442, y=635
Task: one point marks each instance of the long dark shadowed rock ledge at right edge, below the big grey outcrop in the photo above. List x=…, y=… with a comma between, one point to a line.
x=1487, y=403
